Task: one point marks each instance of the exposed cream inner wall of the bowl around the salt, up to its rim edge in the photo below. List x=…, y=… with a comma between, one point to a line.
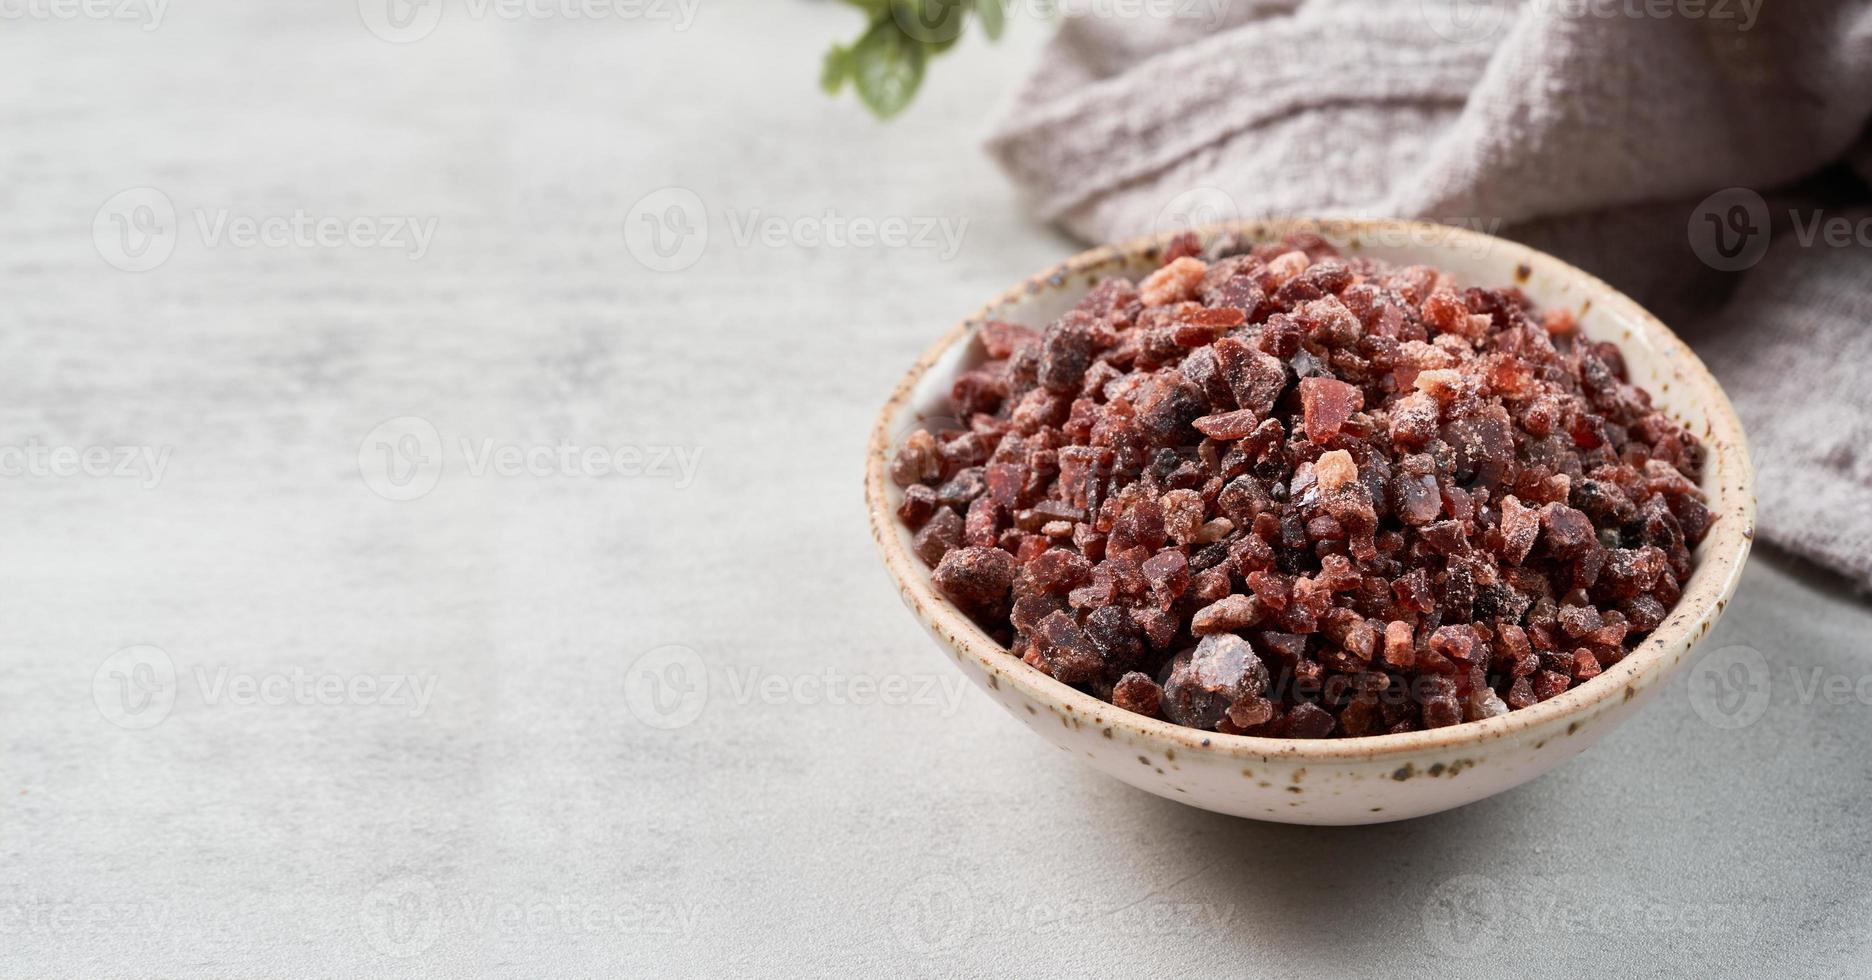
x=1656, y=360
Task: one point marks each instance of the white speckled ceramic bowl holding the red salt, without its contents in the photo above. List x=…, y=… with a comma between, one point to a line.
x=1341, y=781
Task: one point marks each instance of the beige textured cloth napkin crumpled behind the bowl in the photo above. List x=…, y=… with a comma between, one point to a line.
x=1704, y=156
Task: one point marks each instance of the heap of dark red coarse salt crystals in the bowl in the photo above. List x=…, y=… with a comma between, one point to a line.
x=1281, y=493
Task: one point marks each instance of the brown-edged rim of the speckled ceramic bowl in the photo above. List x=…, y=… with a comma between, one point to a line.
x=1712, y=583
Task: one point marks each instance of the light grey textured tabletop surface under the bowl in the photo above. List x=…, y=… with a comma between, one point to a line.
x=830, y=800
